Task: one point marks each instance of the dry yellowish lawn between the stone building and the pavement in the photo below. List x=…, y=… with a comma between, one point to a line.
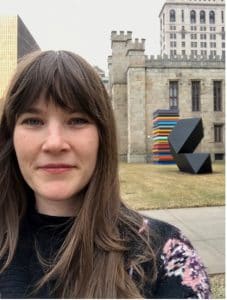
x=149, y=186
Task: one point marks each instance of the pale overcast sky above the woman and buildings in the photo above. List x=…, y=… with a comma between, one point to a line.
x=84, y=26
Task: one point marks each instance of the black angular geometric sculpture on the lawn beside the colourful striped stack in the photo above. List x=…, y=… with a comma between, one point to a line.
x=183, y=140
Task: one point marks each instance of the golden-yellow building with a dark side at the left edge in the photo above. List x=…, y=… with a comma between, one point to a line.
x=15, y=42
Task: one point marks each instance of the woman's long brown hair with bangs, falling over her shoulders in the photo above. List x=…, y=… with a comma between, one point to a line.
x=94, y=259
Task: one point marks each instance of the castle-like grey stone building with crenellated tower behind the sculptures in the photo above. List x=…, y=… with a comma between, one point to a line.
x=139, y=85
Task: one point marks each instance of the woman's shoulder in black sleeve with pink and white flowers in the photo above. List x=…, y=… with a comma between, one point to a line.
x=181, y=272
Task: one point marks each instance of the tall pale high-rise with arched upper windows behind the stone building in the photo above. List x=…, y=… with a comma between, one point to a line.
x=192, y=27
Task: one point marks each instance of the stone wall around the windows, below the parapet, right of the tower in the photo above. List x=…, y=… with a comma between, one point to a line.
x=157, y=97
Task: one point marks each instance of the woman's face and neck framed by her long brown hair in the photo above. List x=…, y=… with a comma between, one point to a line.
x=57, y=152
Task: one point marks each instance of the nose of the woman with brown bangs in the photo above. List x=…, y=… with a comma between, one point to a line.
x=55, y=139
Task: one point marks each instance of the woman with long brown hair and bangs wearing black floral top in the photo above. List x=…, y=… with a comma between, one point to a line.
x=64, y=230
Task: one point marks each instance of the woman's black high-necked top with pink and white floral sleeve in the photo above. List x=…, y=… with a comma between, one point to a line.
x=181, y=273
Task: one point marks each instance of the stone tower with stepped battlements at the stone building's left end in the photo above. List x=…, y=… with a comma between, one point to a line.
x=127, y=89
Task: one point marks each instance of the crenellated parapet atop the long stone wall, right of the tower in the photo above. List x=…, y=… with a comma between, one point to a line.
x=183, y=61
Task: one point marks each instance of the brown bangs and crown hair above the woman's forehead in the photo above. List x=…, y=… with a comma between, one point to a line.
x=58, y=78
